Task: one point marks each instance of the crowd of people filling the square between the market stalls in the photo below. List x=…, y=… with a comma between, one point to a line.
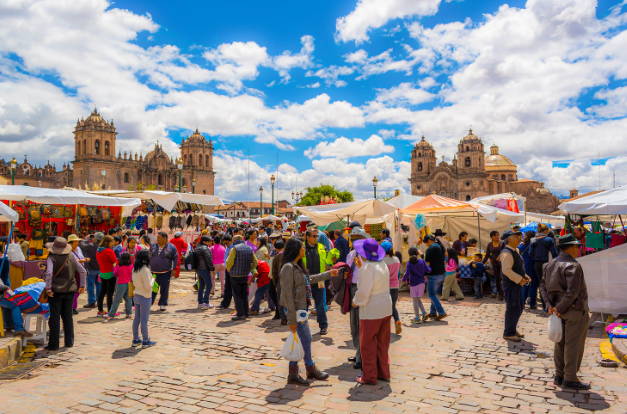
x=295, y=271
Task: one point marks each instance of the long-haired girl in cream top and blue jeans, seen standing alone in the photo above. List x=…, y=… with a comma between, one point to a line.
x=143, y=281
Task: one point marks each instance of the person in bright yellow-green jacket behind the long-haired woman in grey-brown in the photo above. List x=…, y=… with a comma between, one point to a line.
x=315, y=261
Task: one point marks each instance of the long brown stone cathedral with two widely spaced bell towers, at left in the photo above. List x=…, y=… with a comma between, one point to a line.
x=95, y=164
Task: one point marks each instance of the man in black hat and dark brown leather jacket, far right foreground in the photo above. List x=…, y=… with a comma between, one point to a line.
x=564, y=290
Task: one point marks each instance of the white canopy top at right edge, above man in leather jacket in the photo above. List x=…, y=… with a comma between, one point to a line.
x=608, y=203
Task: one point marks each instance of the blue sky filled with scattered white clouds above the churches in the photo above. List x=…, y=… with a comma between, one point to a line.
x=340, y=90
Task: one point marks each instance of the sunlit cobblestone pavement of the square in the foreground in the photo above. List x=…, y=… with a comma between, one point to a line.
x=459, y=365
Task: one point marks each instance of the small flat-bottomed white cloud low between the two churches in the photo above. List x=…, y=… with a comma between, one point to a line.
x=347, y=148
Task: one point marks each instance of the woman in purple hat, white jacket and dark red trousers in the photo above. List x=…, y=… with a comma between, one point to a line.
x=375, y=310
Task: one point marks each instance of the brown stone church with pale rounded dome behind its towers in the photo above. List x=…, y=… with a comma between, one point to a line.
x=472, y=174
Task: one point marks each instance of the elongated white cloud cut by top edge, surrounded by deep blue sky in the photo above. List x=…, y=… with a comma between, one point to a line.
x=372, y=14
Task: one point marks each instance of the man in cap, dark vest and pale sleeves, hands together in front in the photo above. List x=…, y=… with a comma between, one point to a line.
x=514, y=278
